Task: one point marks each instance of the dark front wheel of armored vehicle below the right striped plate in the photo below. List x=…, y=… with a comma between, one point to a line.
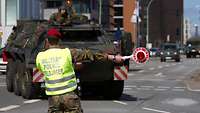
x=113, y=89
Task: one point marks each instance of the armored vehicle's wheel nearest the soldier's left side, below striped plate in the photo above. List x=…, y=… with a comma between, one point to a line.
x=29, y=89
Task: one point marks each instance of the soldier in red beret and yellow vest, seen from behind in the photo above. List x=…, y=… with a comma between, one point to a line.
x=59, y=75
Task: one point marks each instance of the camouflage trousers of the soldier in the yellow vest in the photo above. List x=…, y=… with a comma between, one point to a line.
x=66, y=103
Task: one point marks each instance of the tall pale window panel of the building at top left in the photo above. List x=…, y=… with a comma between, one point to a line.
x=11, y=12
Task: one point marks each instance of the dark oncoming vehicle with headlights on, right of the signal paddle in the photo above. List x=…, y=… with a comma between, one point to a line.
x=169, y=51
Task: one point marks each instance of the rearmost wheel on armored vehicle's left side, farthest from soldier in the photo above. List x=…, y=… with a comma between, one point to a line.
x=10, y=73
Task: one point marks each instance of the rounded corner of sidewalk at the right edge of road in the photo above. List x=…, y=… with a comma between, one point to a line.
x=193, y=83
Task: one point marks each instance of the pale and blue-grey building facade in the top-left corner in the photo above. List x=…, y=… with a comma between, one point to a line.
x=12, y=10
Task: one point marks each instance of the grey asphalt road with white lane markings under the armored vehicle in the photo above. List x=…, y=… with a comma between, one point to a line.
x=153, y=87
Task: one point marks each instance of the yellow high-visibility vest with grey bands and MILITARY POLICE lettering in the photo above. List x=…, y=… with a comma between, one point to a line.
x=56, y=65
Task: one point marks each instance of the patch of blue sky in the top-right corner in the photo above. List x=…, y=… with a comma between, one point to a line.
x=192, y=11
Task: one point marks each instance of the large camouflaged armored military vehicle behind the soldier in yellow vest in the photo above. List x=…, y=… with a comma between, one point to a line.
x=107, y=77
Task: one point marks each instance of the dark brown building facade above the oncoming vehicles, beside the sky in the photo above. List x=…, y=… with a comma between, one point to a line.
x=162, y=19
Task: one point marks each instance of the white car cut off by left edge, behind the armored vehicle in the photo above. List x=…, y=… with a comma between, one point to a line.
x=3, y=62
